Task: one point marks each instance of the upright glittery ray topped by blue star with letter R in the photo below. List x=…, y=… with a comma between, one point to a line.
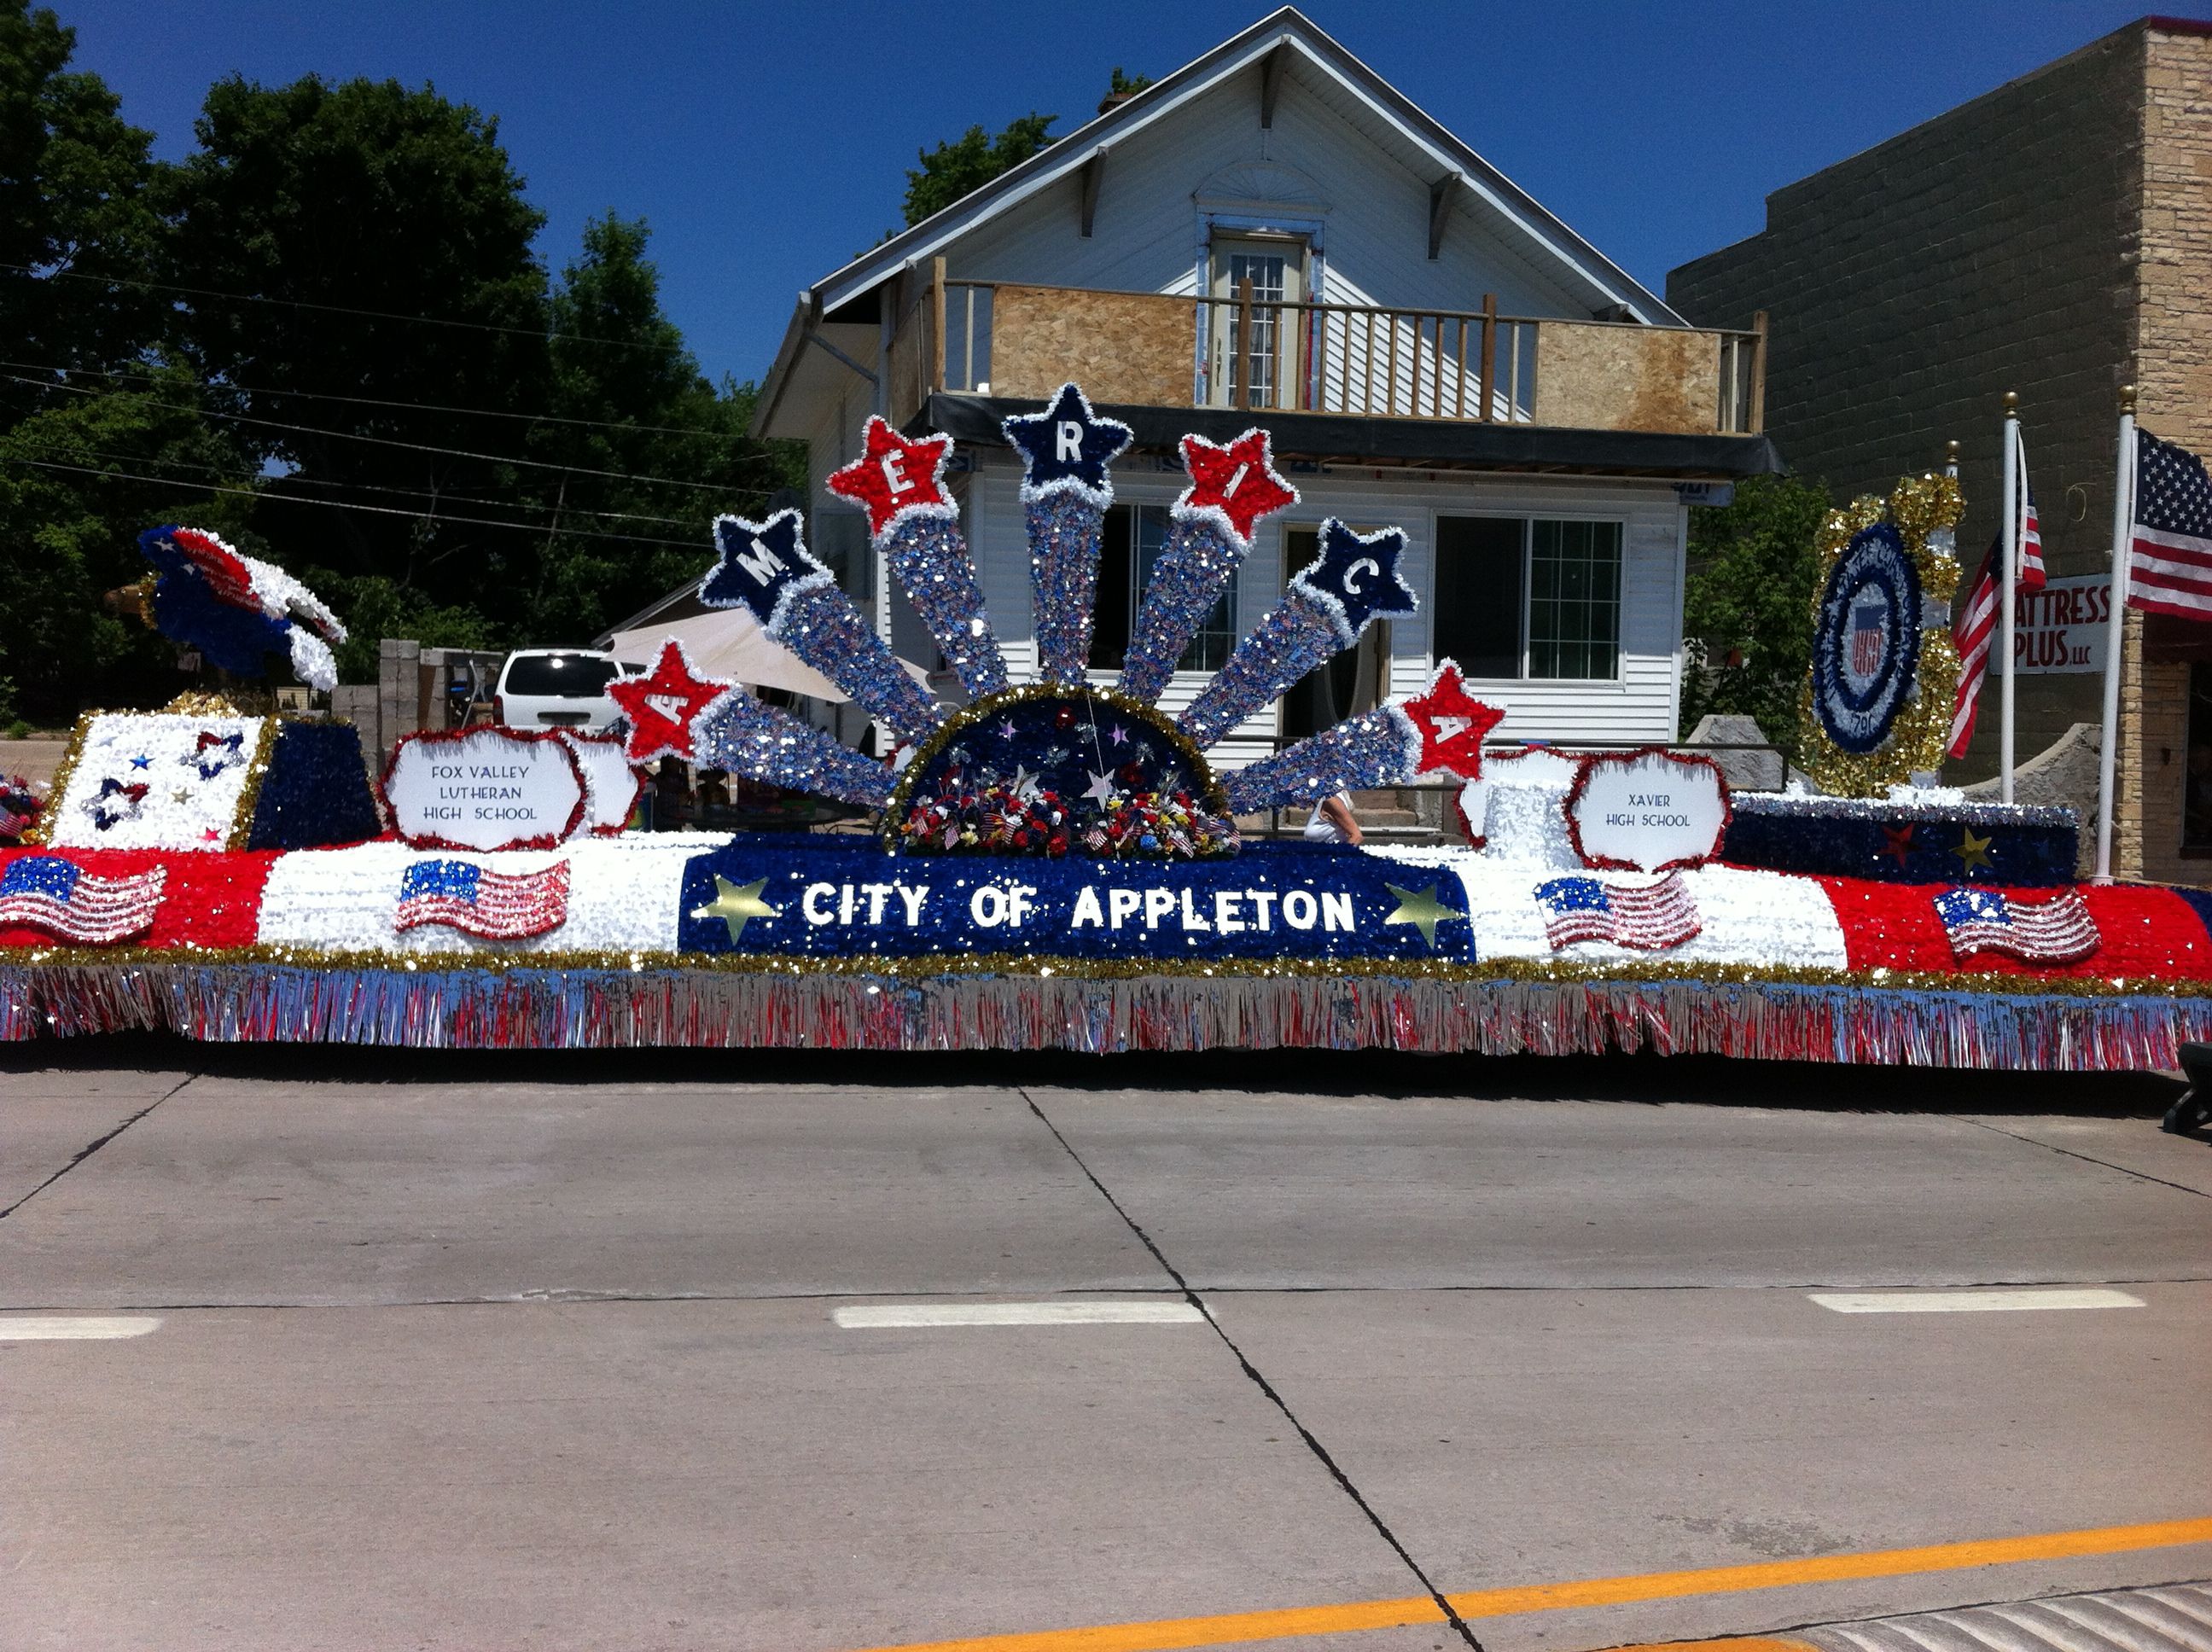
x=1065, y=496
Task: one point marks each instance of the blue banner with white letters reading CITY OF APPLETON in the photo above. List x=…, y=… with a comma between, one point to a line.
x=848, y=899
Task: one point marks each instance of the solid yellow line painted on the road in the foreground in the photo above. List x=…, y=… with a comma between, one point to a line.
x=1233, y=1629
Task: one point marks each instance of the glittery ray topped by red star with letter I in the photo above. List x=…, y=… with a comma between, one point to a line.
x=1209, y=534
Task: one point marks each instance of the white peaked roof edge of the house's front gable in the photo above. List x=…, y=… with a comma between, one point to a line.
x=1286, y=30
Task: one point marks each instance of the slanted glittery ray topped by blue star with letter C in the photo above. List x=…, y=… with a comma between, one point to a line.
x=1328, y=605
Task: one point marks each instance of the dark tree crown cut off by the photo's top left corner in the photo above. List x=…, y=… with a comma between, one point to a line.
x=74, y=205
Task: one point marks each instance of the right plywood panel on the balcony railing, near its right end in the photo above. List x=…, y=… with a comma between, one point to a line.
x=1627, y=379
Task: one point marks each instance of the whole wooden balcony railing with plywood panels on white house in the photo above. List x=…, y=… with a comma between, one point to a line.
x=1375, y=362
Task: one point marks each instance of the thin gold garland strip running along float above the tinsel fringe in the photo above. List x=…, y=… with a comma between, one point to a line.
x=1045, y=968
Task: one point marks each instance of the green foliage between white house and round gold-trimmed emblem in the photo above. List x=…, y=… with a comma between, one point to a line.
x=1749, y=605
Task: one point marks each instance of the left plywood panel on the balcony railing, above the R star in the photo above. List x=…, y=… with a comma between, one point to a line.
x=1118, y=346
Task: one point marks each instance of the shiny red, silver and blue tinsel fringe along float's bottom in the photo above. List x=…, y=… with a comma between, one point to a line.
x=727, y=1010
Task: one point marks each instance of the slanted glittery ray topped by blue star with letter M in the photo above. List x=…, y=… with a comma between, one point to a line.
x=769, y=569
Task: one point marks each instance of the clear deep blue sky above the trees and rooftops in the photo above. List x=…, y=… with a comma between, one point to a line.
x=766, y=145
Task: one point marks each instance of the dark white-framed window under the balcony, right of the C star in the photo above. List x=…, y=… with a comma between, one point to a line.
x=1530, y=598
